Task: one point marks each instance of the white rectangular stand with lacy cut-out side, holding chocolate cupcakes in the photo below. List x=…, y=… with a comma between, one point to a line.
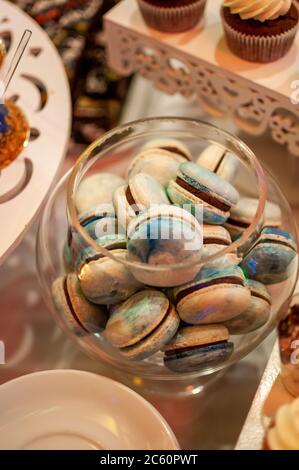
x=258, y=97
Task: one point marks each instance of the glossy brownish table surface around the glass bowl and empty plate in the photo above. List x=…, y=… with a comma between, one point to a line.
x=196, y=420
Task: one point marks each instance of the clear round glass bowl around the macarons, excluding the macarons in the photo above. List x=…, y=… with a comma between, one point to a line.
x=113, y=153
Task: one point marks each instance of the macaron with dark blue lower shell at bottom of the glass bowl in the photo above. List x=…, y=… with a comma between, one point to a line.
x=198, y=347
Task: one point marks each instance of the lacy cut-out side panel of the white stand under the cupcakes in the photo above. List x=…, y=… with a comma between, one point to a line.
x=254, y=109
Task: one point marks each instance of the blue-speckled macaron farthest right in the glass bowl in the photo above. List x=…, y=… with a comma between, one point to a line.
x=273, y=258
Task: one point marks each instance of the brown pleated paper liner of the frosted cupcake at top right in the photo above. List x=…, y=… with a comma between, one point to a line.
x=260, y=49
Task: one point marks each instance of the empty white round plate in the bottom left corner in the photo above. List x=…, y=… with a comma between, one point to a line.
x=68, y=409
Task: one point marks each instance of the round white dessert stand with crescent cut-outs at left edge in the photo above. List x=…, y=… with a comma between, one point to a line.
x=41, y=88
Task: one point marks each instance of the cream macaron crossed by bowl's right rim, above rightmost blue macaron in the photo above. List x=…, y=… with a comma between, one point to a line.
x=242, y=216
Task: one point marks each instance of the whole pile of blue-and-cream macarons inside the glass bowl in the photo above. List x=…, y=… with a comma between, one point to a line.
x=166, y=279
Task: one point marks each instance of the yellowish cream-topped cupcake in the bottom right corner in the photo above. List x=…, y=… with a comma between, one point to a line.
x=283, y=434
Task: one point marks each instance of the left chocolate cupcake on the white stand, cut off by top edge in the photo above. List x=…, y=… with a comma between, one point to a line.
x=172, y=16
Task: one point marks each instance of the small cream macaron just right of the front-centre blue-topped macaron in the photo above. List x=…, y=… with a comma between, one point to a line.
x=215, y=239
